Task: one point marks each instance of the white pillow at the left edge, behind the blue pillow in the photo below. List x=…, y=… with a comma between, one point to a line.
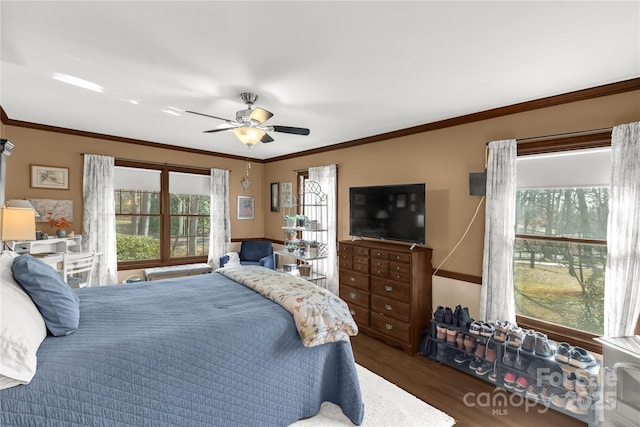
x=22, y=328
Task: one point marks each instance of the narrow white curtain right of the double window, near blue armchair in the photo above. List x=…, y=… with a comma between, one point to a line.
x=220, y=230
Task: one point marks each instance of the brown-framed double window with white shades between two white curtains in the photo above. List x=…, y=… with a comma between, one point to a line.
x=162, y=214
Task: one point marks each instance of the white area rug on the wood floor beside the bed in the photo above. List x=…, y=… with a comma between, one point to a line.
x=385, y=404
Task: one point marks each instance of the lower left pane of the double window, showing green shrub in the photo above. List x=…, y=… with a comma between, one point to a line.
x=137, y=237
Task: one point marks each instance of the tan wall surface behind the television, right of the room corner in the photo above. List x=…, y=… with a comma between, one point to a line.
x=443, y=160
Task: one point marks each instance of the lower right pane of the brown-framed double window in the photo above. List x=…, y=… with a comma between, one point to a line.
x=189, y=236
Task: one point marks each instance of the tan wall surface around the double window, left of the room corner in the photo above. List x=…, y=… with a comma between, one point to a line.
x=63, y=150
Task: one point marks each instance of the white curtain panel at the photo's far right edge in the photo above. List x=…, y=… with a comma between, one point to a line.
x=622, y=277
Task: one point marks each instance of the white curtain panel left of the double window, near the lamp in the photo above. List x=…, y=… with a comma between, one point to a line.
x=98, y=217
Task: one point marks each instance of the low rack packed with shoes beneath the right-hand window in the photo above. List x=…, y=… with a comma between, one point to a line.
x=494, y=358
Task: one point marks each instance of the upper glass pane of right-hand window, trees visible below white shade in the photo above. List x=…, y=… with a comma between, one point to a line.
x=573, y=212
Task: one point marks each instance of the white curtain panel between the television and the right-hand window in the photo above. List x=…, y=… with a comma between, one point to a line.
x=496, y=297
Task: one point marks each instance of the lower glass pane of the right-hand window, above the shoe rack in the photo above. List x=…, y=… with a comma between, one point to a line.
x=561, y=283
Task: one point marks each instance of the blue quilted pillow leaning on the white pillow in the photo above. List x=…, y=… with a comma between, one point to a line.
x=57, y=302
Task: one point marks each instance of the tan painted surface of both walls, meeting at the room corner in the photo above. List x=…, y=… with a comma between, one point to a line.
x=442, y=159
